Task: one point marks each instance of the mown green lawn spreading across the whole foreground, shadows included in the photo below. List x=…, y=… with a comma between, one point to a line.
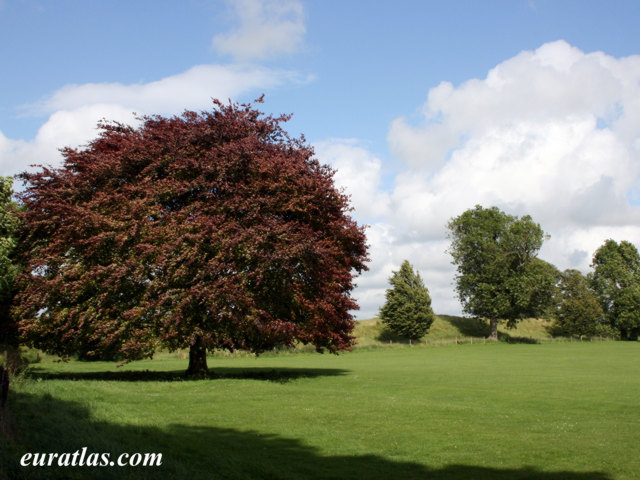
x=546, y=411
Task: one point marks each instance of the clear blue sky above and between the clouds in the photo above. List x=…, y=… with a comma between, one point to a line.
x=368, y=59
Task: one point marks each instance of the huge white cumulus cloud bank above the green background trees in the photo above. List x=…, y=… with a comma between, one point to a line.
x=554, y=133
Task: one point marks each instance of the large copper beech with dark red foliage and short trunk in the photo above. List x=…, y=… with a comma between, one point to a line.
x=208, y=230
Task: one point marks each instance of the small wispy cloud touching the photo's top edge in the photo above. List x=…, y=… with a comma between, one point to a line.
x=268, y=28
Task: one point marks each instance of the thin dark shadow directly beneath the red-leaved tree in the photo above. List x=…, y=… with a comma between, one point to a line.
x=278, y=375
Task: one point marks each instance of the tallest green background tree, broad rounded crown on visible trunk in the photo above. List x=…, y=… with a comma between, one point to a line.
x=499, y=276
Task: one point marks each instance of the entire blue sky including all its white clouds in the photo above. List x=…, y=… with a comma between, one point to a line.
x=537, y=113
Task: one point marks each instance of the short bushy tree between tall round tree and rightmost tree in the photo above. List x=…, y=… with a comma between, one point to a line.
x=578, y=311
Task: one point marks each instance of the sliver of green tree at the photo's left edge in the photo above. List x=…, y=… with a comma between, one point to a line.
x=8, y=267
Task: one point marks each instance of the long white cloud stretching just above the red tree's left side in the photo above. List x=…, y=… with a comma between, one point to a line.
x=74, y=110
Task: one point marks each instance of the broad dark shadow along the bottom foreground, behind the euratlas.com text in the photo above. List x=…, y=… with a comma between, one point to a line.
x=50, y=425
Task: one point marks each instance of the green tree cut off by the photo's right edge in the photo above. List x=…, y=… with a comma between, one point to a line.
x=616, y=280
